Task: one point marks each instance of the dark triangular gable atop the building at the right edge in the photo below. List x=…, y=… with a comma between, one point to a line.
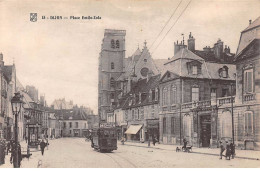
x=250, y=50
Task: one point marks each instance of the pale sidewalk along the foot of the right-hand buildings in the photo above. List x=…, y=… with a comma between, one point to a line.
x=241, y=154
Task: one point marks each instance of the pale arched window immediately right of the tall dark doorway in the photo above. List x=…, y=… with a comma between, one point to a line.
x=226, y=124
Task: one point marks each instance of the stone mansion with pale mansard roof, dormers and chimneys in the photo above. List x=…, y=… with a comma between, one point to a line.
x=194, y=84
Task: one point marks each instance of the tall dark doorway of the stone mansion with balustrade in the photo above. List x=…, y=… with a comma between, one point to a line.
x=205, y=130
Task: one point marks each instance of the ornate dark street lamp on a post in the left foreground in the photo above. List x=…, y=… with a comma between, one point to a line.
x=16, y=108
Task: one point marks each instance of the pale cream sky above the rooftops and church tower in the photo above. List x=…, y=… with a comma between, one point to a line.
x=60, y=57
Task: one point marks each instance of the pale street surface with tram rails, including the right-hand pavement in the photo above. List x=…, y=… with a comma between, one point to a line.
x=75, y=152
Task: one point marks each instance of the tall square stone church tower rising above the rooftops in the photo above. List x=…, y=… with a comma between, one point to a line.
x=111, y=66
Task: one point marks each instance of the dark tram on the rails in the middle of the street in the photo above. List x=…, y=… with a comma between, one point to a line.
x=104, y=139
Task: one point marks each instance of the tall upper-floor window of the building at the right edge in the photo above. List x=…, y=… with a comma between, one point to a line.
x=248, y=81
